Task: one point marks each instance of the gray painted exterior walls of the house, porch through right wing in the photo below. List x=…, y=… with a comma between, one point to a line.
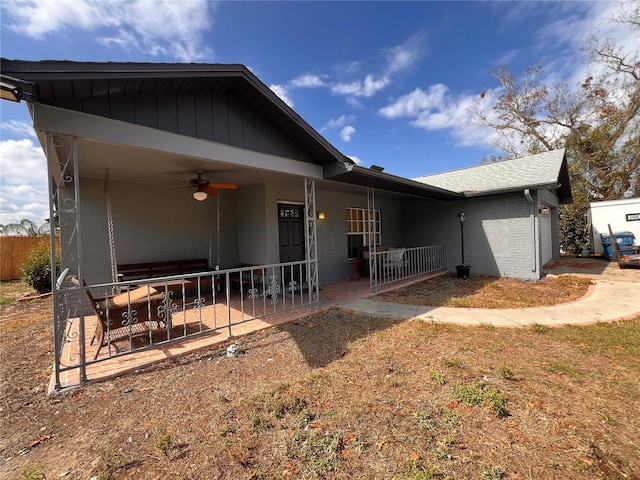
x=503, y=234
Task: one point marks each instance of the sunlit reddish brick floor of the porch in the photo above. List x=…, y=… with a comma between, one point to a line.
x=330, y=295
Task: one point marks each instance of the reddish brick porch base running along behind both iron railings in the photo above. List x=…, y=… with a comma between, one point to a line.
x=202, y=328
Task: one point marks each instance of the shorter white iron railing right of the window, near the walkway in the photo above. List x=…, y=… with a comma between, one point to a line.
x=398, y=264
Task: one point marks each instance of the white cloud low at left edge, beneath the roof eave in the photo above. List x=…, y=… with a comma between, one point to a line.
x=23, y=182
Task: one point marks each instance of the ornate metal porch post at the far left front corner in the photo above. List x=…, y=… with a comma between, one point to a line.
x=64, y=210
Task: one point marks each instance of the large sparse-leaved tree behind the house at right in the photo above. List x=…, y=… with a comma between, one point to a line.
x=598, y=123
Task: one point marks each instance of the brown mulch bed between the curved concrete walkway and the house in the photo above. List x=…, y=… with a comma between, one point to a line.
x=484, y=291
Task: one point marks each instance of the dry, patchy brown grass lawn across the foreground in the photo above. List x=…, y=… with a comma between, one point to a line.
x=334, y=395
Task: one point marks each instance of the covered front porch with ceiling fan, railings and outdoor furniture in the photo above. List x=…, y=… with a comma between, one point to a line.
x=261, y=250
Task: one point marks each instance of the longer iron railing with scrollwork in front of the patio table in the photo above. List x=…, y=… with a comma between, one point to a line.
x=152, y=312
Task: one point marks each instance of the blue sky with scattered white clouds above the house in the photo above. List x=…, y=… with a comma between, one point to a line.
x=387, y=83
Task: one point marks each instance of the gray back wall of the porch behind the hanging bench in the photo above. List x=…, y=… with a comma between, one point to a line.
x=153, y=224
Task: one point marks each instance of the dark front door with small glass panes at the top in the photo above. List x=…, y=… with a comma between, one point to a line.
x=291, y=231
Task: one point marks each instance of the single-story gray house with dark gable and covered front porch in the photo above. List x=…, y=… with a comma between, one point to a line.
x=152, y=166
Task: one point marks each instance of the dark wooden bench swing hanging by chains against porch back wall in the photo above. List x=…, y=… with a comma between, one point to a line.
x=168, y=268
